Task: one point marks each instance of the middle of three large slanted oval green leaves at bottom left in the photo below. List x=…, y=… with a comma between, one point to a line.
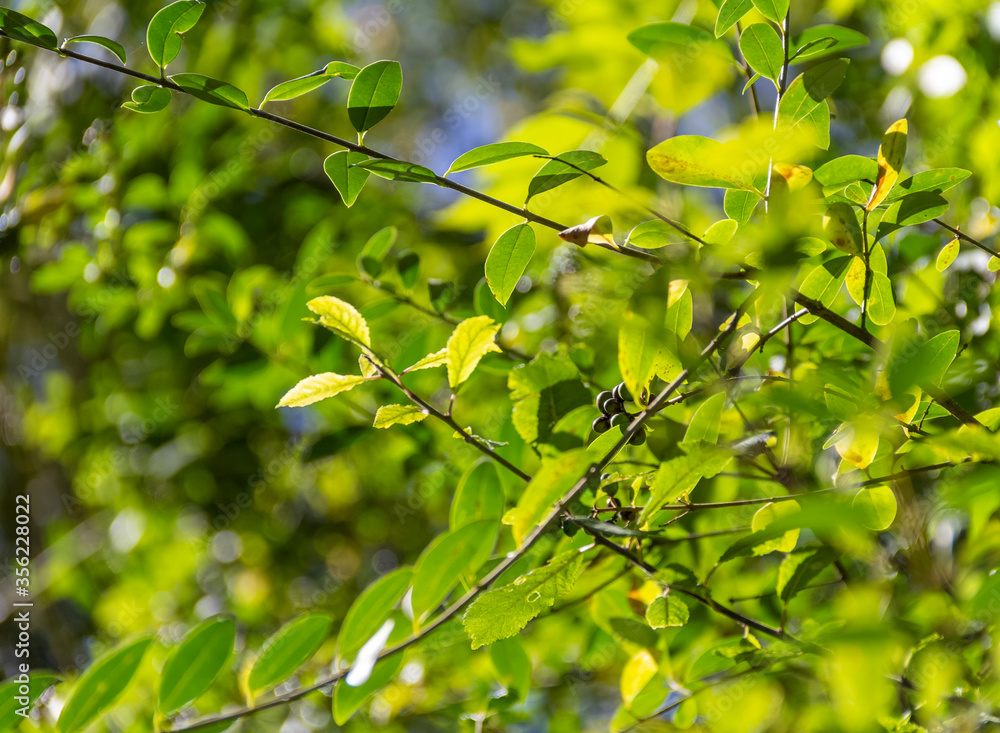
x=195, y=663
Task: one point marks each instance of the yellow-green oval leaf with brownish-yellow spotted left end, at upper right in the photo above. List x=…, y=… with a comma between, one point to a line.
x=692, y=160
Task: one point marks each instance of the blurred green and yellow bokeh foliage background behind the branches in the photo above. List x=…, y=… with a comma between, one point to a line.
x=154, y=272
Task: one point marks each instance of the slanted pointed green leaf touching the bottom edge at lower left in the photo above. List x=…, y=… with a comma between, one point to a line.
x=101, y=685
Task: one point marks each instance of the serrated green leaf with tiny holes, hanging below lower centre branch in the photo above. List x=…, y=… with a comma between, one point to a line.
x=502, y=612
